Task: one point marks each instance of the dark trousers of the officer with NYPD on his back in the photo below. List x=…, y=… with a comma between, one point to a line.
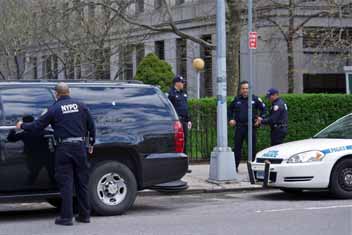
x=72, y=169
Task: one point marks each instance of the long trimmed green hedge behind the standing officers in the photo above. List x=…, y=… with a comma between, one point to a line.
x=308, y=113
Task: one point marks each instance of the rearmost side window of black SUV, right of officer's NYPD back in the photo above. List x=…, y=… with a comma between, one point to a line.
x=112, y=104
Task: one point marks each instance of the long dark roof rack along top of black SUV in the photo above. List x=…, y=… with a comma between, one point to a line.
x=76, y=81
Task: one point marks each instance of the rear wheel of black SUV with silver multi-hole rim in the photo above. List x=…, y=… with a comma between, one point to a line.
x=113, y=188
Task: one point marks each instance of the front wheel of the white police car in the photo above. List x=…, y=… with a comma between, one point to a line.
x=341, y=179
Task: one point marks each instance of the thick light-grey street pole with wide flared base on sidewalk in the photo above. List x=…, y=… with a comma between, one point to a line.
x=222, y=162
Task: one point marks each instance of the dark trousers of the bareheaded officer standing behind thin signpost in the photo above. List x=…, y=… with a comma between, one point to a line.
x=241, y=134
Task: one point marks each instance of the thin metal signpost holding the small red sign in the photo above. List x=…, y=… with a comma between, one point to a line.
x=250, y=111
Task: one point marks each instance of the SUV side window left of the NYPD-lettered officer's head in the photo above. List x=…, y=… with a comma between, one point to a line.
x=18, y=102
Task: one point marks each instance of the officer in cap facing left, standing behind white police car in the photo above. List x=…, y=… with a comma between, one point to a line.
x=278, y=118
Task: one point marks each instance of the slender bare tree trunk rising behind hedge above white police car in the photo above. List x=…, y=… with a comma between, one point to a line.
x=290, y=56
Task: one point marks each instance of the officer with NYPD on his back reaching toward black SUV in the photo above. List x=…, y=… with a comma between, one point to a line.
x=72, y=123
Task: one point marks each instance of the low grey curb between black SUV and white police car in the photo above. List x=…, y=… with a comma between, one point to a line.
x=201, y=191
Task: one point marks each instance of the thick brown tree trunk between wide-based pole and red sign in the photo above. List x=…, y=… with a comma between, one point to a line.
x=233, y=46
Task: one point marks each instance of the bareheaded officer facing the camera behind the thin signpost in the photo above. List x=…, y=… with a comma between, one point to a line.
x=238, y=117
